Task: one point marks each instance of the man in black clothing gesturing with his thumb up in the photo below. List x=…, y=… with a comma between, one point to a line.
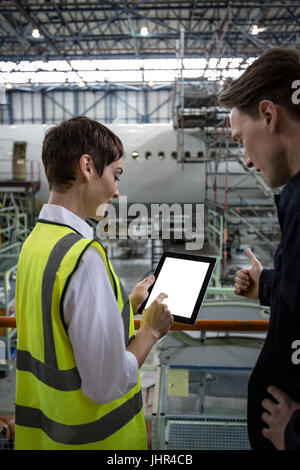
x=265, y=119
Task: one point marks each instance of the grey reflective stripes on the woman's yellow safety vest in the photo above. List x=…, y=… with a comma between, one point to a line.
x=69, y=380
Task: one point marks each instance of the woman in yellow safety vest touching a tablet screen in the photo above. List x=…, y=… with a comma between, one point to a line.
x=78, y=359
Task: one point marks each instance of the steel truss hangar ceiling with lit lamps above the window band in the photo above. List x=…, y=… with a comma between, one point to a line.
x=112, y=29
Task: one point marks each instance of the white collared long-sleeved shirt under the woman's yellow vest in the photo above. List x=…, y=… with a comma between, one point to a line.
x=93, y=320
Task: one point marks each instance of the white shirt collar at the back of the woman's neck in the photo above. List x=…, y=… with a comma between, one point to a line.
x=61, y=215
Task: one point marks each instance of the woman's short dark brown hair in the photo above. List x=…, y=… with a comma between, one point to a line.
x=64, y=144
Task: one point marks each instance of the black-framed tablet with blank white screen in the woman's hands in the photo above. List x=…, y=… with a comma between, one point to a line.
x=184, y=278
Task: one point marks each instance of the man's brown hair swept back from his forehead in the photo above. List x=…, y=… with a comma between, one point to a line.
x=269, y=77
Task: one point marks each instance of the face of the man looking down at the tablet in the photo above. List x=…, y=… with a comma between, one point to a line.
x=262, y=148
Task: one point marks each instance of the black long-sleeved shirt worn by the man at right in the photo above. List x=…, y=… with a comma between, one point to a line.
x=279, y=288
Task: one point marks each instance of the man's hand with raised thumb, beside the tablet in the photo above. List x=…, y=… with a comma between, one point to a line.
x=246, y=282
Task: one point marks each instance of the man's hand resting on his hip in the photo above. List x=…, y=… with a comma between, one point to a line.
x=277, y=416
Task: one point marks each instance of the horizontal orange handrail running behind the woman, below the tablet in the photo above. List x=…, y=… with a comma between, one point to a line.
x=200, y=325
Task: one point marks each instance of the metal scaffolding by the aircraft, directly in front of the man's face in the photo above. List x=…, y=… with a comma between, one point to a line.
x=236, y=198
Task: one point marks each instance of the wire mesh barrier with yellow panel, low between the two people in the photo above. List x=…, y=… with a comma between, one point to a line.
x=202, y=409
